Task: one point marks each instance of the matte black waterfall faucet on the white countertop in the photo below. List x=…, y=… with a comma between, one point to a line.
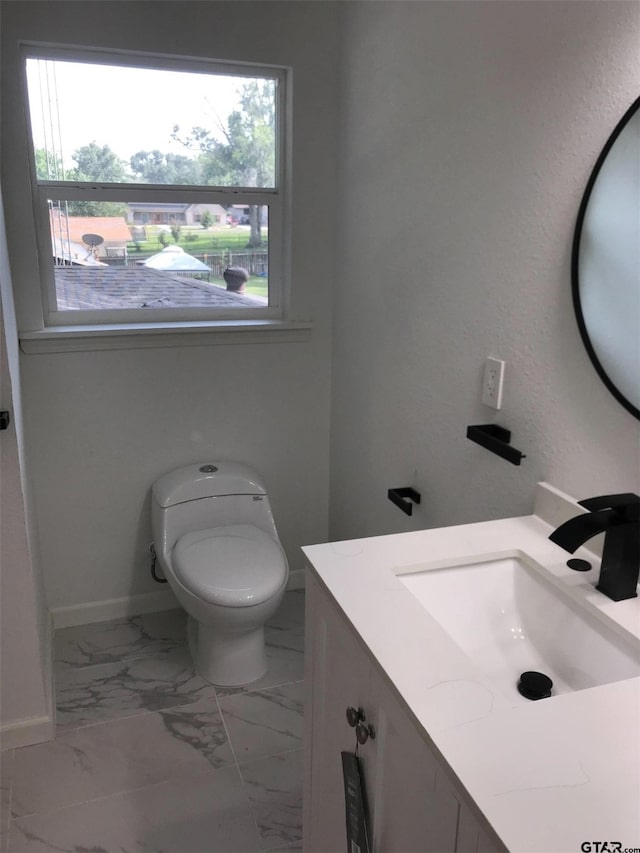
x=618, y=516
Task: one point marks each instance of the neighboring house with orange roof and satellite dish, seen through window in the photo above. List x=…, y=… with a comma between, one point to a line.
x=69, y=231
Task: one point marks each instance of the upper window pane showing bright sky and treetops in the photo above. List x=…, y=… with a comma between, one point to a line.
x=119, y=124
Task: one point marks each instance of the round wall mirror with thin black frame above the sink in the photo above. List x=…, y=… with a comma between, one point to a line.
x=605, y=266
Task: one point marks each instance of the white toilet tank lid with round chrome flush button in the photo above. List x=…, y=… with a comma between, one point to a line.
x=207, y=480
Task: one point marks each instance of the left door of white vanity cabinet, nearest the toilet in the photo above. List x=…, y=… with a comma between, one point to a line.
x=337, y=675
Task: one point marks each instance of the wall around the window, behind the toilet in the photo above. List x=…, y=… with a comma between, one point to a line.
x=102, y=426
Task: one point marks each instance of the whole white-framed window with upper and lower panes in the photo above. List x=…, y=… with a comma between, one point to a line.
x=159, y=187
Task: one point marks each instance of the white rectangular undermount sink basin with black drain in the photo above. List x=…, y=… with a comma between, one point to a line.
x=508, y=618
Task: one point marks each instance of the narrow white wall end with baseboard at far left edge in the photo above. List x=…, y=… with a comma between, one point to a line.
x=25, y=639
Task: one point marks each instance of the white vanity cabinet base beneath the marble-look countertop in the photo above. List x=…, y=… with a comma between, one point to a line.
x=412, y=802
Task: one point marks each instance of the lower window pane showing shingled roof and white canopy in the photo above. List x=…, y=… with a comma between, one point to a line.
x=111, y=256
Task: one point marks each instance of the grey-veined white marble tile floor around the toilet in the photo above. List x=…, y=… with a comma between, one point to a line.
x=149, y=758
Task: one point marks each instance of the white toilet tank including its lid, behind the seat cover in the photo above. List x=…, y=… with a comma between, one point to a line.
x=190, y=499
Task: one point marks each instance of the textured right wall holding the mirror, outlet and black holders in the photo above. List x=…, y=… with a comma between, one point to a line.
x=469, y=130
